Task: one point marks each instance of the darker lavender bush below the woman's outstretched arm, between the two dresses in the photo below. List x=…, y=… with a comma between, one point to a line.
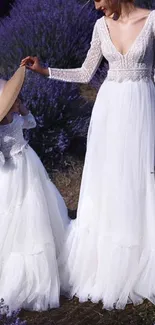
x=65, y=120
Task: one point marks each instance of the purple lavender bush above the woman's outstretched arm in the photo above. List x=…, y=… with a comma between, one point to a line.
x=58, y=31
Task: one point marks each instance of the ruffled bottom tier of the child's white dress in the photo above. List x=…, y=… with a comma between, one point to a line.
x=30, y=281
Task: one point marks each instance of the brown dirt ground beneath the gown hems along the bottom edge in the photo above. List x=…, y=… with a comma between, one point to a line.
x=74, y=313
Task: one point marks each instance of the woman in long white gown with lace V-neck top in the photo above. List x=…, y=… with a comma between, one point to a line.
x=109, y=253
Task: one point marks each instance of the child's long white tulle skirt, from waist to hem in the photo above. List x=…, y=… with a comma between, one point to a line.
x=33, y=219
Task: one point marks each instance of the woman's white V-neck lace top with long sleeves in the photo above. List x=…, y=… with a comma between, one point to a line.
x=138, y=63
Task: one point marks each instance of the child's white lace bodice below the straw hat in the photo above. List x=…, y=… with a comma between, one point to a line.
x=11, y=136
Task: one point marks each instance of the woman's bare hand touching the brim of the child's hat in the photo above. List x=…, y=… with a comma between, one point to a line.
x=32, y=63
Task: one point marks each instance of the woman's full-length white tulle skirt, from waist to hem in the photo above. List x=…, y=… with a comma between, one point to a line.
x=110, y=249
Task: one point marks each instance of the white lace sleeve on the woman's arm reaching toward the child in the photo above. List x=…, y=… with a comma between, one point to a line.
x=88, y=68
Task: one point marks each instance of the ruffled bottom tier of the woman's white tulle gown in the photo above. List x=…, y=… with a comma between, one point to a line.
x=116, y=275
